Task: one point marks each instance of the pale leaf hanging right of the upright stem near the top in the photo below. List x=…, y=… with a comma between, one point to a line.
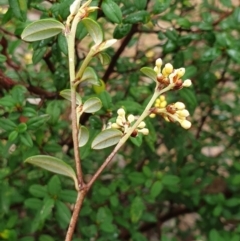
x=94, y=30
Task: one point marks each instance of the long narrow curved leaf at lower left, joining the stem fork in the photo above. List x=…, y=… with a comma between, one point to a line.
x=54, y=165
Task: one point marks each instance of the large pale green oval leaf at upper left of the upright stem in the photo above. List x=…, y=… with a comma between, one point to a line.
x=42, y=29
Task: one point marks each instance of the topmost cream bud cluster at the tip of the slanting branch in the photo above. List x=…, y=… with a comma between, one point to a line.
x=168, y=75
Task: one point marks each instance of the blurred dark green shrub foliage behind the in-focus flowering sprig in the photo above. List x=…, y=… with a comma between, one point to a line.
x=176, y=185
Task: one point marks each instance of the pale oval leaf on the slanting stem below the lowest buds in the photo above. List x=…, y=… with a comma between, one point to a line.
x=106, y=138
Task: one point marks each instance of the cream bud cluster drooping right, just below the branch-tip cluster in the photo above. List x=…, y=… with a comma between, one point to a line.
x=172, y=112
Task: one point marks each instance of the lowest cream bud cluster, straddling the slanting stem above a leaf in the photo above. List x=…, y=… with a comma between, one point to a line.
x=124, y=124
